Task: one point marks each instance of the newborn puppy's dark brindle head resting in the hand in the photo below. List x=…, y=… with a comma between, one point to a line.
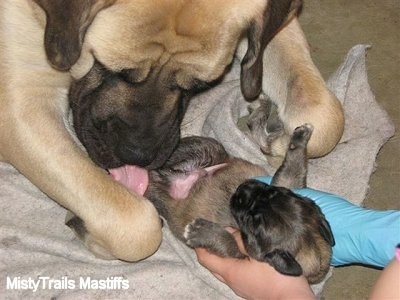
x=283, y=229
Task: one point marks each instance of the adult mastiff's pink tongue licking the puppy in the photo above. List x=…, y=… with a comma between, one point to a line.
x=132, y=177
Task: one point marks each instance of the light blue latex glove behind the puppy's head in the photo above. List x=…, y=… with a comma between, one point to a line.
x=361, y=235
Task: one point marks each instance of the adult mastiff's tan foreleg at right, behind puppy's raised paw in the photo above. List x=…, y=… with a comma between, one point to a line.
x=294, y=84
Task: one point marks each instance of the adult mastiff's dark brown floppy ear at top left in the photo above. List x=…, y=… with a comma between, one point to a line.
x=67, y=22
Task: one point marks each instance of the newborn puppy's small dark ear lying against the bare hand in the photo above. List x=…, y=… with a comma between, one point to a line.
x=283, y=262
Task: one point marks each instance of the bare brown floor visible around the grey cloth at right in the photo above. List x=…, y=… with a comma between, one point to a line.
x=332, y=28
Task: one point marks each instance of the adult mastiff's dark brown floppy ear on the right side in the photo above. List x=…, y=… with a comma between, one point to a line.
x=260, y=33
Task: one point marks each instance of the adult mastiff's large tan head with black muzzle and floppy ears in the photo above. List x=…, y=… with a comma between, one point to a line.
x=142, y=60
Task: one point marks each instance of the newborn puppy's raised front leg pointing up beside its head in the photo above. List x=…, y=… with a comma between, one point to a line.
x=293, y=172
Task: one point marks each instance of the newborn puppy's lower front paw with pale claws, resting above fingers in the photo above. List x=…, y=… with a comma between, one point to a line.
x=210, y=235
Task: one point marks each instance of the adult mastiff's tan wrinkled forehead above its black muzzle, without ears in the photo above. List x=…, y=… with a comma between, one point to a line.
x=192, y=37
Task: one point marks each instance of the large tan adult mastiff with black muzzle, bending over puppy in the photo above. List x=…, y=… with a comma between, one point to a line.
x=131, y=67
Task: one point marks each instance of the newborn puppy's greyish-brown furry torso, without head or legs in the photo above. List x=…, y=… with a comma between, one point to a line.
x=208, y=198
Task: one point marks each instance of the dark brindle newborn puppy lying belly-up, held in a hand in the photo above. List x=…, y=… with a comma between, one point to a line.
x=201, y=189
